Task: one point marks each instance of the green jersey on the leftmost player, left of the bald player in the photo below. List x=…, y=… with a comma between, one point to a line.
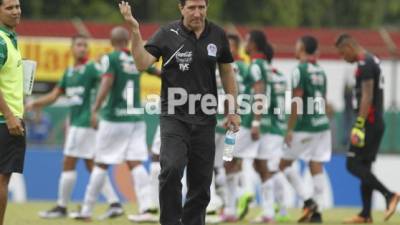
x=79, y=84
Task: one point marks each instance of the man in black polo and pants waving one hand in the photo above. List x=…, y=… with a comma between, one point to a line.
x=191, y=50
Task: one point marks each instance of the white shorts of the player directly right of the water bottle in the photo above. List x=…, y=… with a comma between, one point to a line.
x=245, y=146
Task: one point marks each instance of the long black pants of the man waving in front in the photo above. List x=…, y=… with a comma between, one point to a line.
x=191, y=146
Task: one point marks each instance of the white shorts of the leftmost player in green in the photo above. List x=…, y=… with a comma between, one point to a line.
x=79, y=142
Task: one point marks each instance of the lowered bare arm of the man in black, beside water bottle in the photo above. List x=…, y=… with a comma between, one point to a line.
x=230, y=88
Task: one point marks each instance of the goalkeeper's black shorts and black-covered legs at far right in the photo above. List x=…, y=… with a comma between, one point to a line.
x=359, y=163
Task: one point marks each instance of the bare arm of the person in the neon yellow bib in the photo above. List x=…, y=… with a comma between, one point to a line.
x=14, y=124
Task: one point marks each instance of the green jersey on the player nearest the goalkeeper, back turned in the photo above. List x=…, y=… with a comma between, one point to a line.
x=311, y=78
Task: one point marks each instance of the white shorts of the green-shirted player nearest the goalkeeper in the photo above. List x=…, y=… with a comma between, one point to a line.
x=310, y=147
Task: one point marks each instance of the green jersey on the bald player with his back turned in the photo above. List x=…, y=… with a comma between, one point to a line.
x=124, y=97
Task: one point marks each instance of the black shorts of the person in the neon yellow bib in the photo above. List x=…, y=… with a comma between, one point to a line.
x=12, y=151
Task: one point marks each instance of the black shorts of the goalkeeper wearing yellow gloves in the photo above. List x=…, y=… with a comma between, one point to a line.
x=373, y=138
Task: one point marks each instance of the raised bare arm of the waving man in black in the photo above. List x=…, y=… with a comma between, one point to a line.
x=143, y=59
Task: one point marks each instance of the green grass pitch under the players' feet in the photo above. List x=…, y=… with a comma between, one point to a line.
x=26, y=214
